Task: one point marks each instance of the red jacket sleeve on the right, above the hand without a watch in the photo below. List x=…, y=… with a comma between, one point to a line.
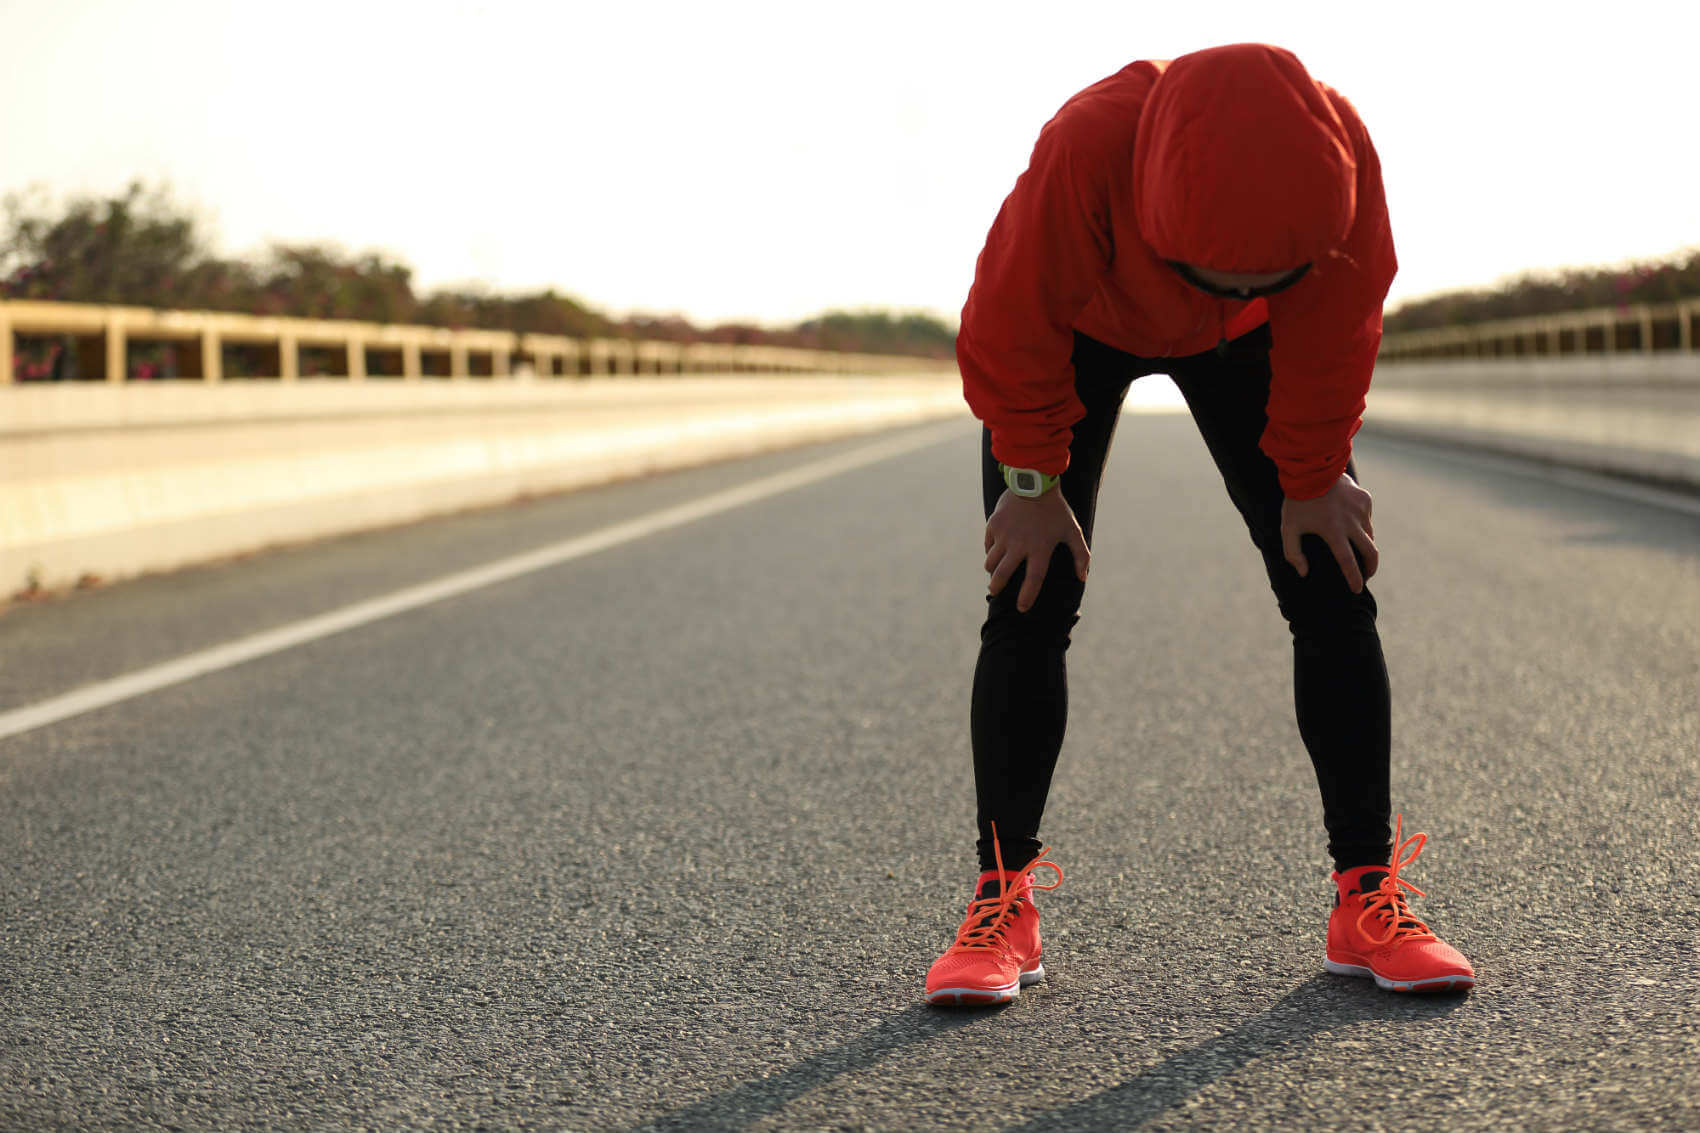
x=1327, y=338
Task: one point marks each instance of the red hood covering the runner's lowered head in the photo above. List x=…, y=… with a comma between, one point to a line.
x=1242, y=164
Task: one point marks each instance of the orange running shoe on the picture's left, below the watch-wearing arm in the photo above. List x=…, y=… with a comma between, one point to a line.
x=997, y=952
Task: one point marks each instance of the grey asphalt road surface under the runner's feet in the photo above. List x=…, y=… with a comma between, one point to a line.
x=667, y=836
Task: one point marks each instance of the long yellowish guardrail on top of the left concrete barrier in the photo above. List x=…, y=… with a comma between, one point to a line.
x=195, y=344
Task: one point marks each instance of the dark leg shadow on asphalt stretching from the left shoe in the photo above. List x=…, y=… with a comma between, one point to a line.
x=751, y=1102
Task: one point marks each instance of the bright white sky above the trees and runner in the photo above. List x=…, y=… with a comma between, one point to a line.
x=773, y=161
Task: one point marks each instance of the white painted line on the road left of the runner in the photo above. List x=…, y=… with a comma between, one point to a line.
x=105, y=693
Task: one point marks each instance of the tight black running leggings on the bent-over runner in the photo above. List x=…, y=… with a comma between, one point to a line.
x=1340, y=680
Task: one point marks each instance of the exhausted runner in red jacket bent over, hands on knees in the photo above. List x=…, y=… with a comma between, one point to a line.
x=1218, y=219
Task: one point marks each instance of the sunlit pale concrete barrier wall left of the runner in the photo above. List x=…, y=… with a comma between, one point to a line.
x=120, y=479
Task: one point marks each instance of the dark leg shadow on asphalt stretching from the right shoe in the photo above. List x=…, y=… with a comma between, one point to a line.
x=1315, y=1008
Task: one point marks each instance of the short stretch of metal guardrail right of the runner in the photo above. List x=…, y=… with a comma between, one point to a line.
x=1662, y=327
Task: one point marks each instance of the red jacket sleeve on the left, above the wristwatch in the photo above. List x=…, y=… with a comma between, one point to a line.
x=1045, y=258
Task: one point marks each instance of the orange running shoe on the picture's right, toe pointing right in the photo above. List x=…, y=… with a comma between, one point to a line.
x=1373, y=931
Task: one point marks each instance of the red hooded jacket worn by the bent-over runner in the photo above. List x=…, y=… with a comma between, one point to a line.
x=1230, y=159
